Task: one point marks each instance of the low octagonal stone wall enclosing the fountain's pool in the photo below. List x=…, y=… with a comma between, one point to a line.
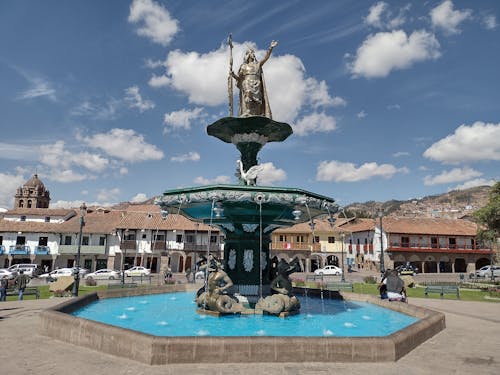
x=60, y=323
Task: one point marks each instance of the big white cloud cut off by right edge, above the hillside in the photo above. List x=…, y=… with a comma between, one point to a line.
x=478, y=141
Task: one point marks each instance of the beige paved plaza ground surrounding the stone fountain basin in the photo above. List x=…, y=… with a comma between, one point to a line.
x=469, y=345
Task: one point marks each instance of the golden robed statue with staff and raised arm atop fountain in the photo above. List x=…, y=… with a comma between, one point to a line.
x=250, y=81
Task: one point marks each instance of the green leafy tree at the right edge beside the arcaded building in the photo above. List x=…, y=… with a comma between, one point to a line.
x=488, y=218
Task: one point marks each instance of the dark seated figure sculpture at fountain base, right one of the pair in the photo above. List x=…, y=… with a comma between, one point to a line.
x=283, y=301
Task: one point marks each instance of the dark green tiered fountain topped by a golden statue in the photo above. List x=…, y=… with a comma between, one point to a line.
x=247, y=213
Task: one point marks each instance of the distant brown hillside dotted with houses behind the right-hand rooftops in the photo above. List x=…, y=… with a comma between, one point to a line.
x=453, y=204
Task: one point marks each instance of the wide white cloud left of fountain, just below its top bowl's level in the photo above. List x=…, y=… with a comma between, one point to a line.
x=124, y=144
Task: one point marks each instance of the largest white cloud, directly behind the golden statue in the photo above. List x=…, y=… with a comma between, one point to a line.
x=203, y=78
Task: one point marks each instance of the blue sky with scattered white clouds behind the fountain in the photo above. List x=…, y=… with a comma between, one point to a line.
x=109, y=101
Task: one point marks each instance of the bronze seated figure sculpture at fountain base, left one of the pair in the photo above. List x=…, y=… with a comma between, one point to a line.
x=217, y=298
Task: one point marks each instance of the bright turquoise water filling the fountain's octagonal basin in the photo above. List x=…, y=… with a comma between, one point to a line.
x=174, y=314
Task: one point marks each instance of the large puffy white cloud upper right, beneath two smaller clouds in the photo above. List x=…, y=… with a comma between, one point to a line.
x=386, y=51
